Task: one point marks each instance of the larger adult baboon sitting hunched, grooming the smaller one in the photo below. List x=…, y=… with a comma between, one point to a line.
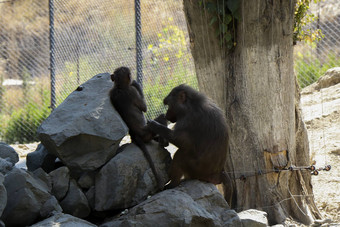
x=200, y=133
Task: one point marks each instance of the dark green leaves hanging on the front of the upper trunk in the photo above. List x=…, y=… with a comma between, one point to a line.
x=224, y=13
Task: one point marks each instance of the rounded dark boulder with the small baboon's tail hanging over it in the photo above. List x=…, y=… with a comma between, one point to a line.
x=127, y=179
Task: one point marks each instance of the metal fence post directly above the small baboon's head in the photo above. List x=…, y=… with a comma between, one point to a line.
x=139, y=55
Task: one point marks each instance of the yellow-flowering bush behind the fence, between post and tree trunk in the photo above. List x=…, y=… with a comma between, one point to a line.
x=169, y=67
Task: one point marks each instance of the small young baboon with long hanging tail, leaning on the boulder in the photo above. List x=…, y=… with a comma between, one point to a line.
x=128, y=99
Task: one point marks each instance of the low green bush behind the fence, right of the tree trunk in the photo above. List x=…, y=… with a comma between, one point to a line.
x=309, y=69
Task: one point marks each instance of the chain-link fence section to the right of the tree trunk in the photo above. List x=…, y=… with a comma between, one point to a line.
x=313, y=59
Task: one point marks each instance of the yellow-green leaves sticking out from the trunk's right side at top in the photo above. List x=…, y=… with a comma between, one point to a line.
x=302, y=19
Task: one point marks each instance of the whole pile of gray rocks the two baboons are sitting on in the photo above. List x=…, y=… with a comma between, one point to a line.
x=80, y=175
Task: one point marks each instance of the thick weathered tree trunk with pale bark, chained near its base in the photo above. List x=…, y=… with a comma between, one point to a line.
x=255, y=84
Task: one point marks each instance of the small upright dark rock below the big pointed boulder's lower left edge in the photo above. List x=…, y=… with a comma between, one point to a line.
x=60, y=182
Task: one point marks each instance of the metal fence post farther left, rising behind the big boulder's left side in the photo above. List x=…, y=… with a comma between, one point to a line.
x=52, y=61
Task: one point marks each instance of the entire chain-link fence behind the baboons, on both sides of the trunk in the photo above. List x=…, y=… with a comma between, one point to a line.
x=96, y=36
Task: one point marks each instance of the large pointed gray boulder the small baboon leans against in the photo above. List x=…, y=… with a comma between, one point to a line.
x=85, y=130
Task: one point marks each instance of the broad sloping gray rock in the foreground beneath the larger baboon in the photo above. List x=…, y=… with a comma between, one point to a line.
x=193, y=203
